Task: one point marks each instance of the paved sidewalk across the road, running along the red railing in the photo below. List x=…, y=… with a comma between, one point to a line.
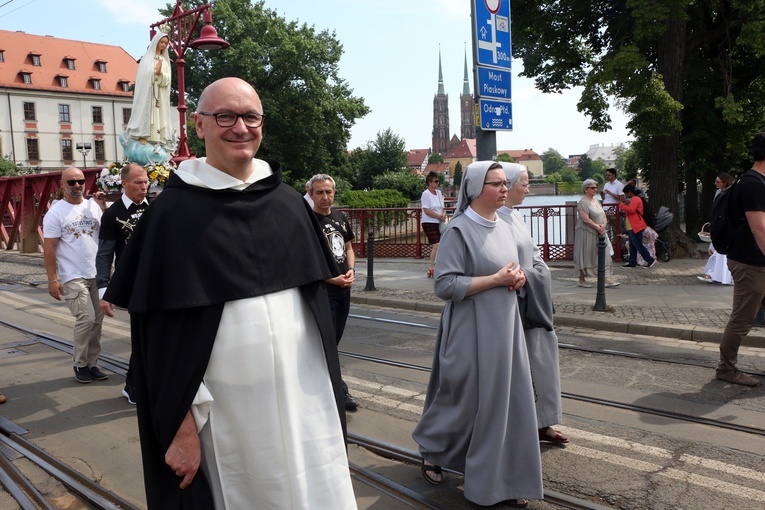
x=666, y=300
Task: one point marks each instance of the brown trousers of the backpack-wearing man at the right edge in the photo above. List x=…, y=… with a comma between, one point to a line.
x=748, y=297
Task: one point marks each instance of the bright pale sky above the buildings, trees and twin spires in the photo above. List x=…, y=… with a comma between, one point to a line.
x=391, y=50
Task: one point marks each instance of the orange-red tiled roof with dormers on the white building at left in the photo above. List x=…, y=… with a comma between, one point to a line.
x=18, y=46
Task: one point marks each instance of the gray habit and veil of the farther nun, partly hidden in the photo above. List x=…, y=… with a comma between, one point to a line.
x=536, y=307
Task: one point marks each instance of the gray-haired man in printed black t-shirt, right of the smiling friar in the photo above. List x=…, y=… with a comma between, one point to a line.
x=338, y=233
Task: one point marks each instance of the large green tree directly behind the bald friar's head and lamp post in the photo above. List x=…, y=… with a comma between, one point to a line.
x=295, y=69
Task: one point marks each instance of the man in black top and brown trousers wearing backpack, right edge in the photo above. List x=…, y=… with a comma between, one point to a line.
x=746, y=261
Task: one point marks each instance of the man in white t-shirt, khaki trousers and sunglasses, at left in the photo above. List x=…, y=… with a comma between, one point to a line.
x=70, y=230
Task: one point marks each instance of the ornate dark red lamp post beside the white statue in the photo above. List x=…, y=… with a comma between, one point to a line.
x=182, y=25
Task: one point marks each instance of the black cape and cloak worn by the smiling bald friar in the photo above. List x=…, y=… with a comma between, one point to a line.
x=193, y=250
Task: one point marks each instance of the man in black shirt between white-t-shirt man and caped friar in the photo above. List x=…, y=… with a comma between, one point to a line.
x=117, y=225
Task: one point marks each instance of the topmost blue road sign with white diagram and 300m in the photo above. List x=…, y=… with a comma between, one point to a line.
x=492, y=32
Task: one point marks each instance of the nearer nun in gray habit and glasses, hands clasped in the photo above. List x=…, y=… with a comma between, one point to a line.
x=479, y=415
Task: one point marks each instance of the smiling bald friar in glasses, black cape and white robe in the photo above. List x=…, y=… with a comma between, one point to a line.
x=235, y=362
